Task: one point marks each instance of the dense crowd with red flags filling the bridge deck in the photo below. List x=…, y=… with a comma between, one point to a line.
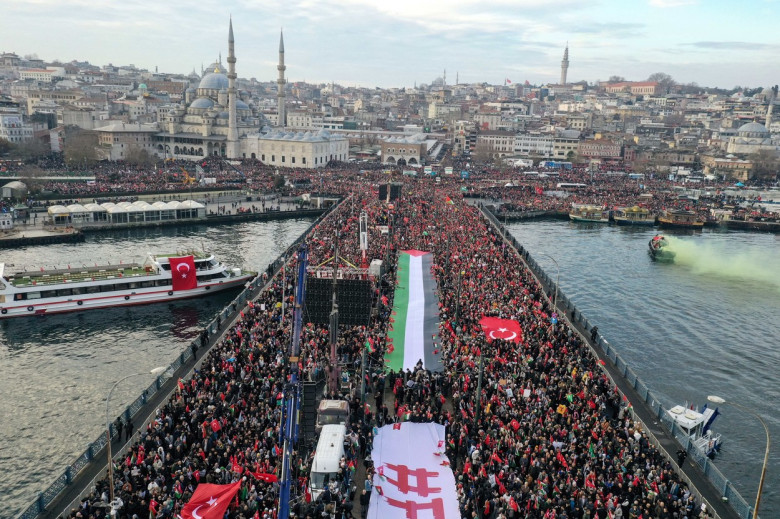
x=548, y=437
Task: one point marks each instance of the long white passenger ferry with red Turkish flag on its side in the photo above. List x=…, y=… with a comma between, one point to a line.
x=160, y=278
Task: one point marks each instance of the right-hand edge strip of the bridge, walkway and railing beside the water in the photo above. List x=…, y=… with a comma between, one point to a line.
x=702, y=476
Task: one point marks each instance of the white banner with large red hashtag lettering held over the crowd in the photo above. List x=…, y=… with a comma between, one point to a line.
x=413, y=477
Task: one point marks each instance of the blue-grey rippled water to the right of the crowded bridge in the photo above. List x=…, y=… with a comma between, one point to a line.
x=707, y=324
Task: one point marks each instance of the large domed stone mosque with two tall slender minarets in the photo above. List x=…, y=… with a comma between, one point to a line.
x=215, y=119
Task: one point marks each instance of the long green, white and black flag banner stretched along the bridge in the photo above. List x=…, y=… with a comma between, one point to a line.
x=414, y=325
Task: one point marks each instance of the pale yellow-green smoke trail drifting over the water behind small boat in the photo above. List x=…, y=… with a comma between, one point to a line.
x=734, y=262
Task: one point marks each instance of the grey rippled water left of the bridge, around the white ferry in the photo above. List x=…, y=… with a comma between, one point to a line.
x=56, y=371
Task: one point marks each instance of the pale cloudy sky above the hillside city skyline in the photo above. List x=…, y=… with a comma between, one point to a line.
x=395, y=43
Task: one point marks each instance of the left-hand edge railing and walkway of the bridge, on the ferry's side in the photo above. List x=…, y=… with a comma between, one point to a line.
x=80, y=477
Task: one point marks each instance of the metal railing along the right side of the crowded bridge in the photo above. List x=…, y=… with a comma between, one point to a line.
x=727, y=490
